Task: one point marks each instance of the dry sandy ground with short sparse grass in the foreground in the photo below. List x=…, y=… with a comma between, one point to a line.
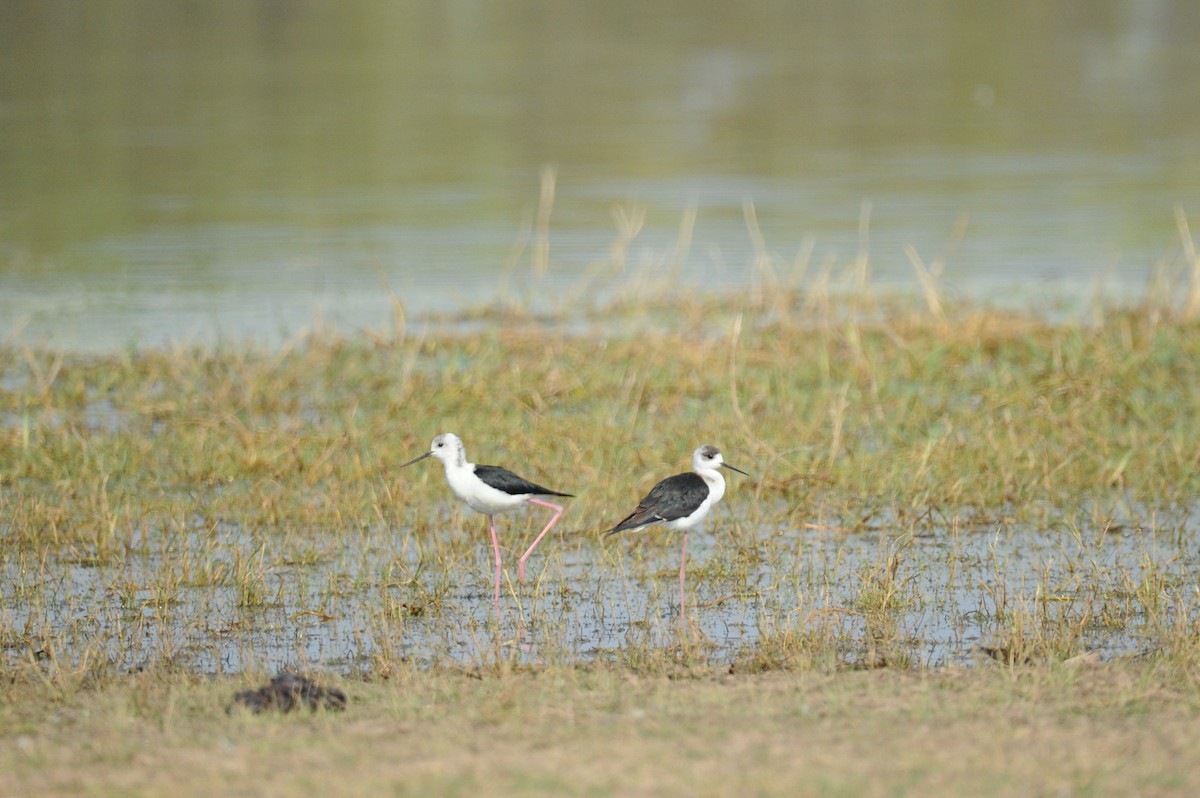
x=1112, y=730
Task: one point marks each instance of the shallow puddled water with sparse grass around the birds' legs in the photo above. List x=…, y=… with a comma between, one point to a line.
x=349, y=602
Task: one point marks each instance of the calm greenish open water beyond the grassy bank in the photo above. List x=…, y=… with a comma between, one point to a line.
x=194, y=171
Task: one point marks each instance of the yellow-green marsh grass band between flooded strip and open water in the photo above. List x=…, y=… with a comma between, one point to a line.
x=1000, y=413
